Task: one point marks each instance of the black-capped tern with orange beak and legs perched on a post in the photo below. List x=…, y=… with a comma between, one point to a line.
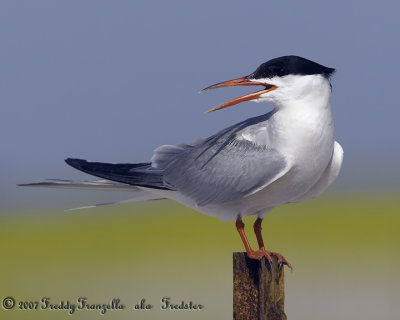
x=286, y=155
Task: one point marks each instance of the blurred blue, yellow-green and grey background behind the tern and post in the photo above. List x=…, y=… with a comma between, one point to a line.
x=111, y=81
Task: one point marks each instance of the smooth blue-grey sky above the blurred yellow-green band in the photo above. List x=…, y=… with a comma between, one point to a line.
x=112, y=80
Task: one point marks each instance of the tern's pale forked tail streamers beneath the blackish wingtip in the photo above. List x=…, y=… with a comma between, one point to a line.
x=138, y=193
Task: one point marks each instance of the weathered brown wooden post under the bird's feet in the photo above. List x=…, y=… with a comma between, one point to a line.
x=258, y=292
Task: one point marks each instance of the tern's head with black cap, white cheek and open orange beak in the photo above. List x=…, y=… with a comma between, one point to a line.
x=283, y=78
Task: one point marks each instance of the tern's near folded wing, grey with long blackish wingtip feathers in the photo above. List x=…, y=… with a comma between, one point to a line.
x=216, y=170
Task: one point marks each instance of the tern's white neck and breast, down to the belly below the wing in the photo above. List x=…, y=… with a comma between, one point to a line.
x=302, y=130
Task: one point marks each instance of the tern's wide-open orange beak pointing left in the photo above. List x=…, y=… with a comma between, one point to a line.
x=239, y=82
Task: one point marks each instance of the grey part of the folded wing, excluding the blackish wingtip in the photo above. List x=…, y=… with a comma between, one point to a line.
x=221, y=168
